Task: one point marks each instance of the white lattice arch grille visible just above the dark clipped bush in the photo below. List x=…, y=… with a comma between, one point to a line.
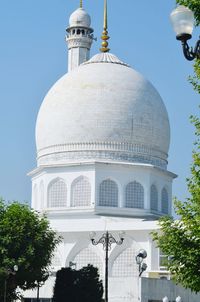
x=87, y=256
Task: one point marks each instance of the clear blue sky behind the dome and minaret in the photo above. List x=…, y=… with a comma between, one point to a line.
x=33, y=55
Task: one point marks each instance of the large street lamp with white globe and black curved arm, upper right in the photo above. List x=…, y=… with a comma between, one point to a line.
x=182, y=19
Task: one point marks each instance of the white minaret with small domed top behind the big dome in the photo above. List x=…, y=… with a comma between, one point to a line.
x=79, y=37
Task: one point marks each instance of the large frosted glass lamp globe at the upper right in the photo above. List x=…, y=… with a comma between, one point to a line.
x=182, y=19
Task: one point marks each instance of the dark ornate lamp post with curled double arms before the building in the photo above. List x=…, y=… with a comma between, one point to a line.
x=106, y=240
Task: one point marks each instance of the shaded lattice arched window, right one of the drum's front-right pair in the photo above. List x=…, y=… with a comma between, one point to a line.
x=134, y=195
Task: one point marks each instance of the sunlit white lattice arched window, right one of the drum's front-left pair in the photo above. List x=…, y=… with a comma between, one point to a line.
x=81, y=192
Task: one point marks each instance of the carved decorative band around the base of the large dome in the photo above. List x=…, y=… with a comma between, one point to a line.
x=114, y=151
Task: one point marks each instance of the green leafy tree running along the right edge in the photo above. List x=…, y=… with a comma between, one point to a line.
x=180, y=239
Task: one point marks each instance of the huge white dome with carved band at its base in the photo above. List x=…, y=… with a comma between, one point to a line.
x=103, y=110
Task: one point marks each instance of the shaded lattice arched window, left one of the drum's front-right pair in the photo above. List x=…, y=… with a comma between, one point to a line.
x=108, y=193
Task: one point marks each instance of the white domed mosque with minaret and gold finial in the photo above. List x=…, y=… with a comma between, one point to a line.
x=102, y=137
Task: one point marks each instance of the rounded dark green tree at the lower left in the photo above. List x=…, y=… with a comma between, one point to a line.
x=26, y=240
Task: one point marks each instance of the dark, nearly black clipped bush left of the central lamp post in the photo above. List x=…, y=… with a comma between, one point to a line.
x=78, y=285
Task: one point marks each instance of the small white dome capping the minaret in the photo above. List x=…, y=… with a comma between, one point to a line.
x=80, y=18
